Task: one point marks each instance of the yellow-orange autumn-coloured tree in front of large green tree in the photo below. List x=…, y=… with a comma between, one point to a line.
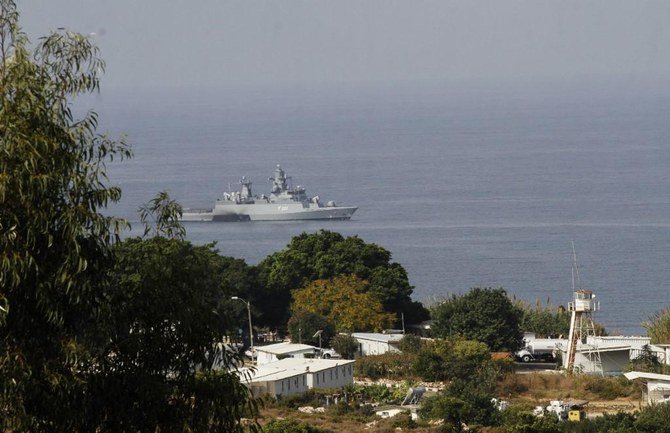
x=344, y=302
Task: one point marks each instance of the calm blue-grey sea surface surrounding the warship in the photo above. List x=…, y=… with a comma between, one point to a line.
x=466, y=186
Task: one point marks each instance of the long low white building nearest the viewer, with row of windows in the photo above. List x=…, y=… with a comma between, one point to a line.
x=297, y=375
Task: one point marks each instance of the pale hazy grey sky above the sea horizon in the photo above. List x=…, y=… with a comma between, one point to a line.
x=186, y=43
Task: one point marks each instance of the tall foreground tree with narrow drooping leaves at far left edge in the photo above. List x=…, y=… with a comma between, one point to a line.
x=54, y=241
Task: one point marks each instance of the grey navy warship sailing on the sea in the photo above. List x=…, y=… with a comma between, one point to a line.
x=285, y=203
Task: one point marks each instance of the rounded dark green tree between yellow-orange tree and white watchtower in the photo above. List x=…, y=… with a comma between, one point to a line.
x=485, y=315
